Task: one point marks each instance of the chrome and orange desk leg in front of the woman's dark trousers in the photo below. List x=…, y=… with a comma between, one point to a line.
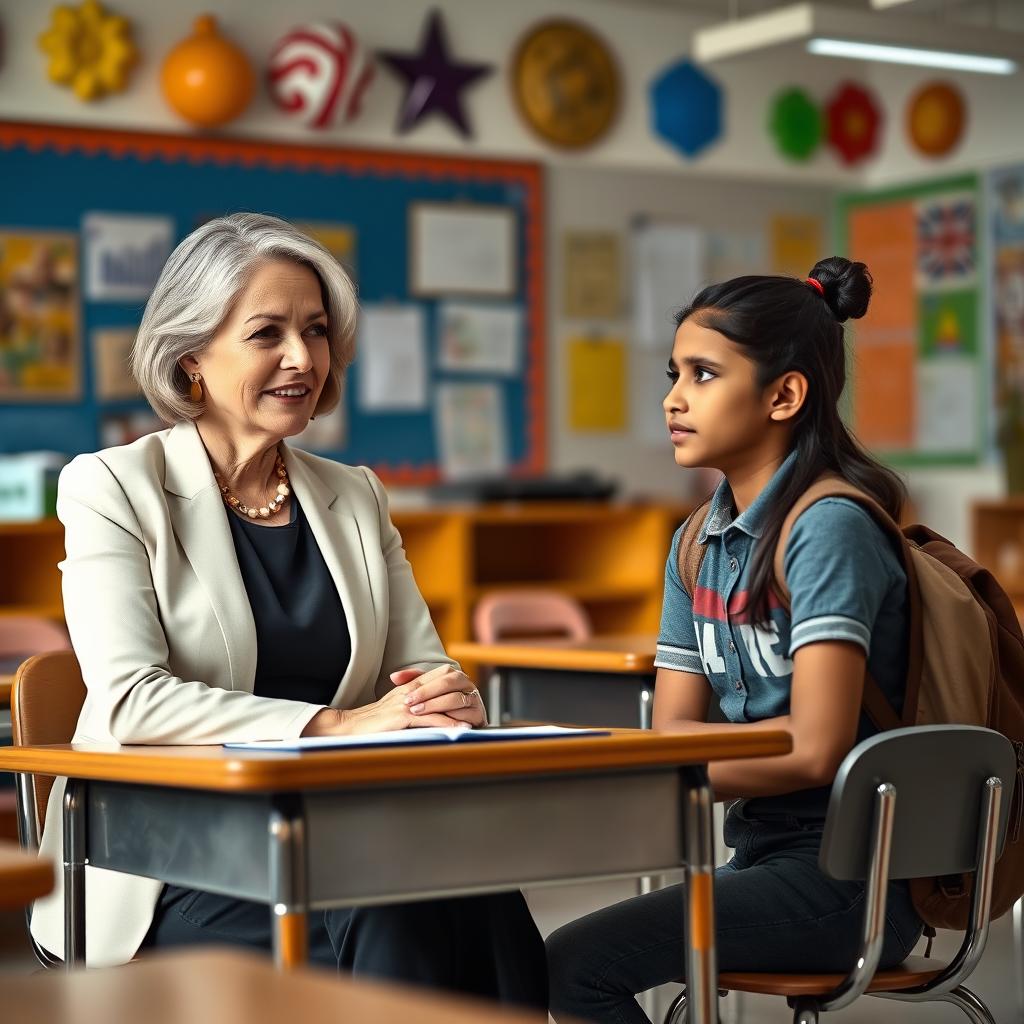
x=288, y=883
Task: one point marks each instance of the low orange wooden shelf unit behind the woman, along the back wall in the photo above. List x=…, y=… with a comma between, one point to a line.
x=609, y=557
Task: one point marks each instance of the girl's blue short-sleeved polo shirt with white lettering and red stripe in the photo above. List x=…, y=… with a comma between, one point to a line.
x=846, y=583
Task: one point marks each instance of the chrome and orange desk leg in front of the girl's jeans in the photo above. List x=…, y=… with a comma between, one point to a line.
x=699, y=851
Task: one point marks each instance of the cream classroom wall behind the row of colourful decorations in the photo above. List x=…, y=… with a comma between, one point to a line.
x=628, y=174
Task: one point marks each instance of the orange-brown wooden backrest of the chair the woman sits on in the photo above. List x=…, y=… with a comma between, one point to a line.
x=46, y=705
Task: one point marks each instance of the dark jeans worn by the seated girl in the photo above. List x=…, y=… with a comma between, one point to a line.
x=775, y=909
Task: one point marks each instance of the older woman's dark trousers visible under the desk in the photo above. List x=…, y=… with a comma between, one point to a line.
x=487, y=947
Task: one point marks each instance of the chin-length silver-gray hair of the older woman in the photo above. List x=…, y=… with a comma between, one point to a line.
x=197, y=288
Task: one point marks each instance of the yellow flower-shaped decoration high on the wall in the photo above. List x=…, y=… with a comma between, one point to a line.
x=90, y=51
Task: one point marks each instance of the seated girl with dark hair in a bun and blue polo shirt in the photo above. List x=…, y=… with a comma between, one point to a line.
x=758, y=366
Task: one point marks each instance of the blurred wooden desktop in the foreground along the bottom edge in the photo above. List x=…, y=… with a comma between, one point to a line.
x=219, y=987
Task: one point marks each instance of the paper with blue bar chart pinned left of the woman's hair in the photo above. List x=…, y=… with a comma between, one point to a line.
x=124, y=255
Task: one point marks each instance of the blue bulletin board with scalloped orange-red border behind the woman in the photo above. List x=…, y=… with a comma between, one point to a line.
x=56, y=177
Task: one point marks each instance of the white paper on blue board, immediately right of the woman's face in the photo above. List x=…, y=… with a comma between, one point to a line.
x=393, y=360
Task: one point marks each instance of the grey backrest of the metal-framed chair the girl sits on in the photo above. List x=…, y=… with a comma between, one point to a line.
x=940, y=775
